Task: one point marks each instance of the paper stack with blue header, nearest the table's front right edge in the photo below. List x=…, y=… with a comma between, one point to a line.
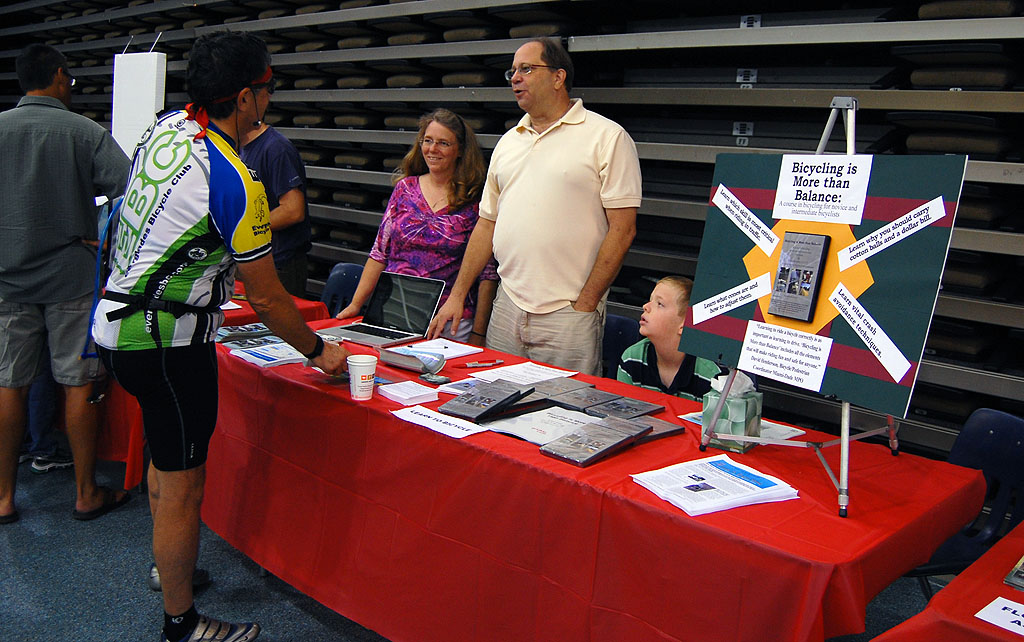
x=714, y=484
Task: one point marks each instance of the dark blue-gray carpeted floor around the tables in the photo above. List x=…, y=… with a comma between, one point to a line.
x=64, y=580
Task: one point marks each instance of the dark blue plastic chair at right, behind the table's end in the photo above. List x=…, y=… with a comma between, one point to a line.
x=993, y=442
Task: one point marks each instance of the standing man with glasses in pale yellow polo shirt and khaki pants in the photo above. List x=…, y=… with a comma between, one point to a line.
x=559, y=213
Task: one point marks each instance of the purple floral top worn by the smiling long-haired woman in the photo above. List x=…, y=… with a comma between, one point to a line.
x=414, y=240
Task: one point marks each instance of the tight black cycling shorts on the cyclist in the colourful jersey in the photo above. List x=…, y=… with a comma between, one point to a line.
x=178, y=391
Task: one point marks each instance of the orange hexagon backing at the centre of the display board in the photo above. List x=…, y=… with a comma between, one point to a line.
x=857, y=279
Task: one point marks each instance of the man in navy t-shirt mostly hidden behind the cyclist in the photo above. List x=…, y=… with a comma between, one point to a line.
x=280, y=168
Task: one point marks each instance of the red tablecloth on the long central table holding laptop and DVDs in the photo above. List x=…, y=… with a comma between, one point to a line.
x=421, y=537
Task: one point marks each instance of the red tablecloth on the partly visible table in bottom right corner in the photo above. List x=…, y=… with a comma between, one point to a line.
x=950, y=616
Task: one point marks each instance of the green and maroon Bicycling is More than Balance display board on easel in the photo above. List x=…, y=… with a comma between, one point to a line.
x=823, y=272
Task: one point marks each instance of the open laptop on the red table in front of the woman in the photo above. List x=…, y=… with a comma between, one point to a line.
x=400, y=311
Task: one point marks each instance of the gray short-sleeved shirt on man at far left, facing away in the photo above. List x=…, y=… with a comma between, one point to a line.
x=54, y=163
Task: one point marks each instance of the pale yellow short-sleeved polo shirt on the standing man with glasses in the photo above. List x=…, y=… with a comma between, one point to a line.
x=547, y=194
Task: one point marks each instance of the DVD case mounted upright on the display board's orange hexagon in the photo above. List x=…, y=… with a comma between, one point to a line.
x=801, y=262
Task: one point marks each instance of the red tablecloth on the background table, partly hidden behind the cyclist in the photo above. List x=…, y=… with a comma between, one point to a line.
x=121, y=437
